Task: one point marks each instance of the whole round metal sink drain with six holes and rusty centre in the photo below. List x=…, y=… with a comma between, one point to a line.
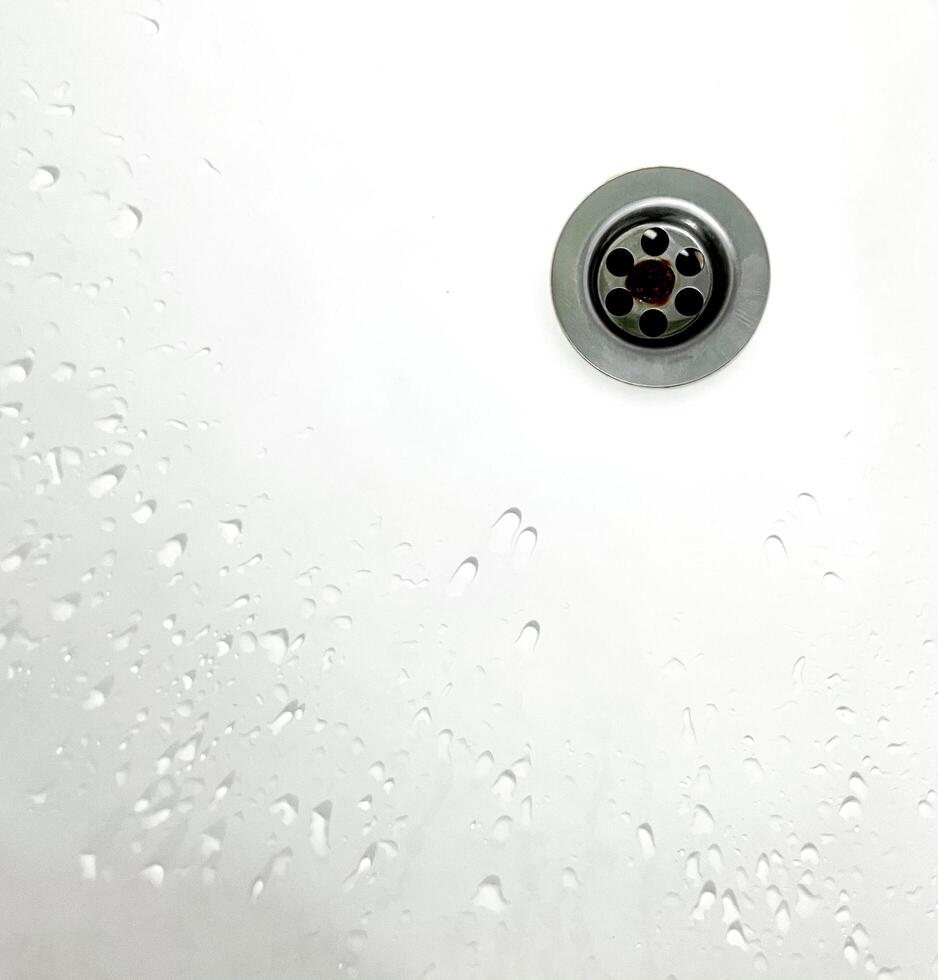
x=660, y=277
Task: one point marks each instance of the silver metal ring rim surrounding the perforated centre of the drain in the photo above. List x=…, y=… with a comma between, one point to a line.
x=707, y=206
